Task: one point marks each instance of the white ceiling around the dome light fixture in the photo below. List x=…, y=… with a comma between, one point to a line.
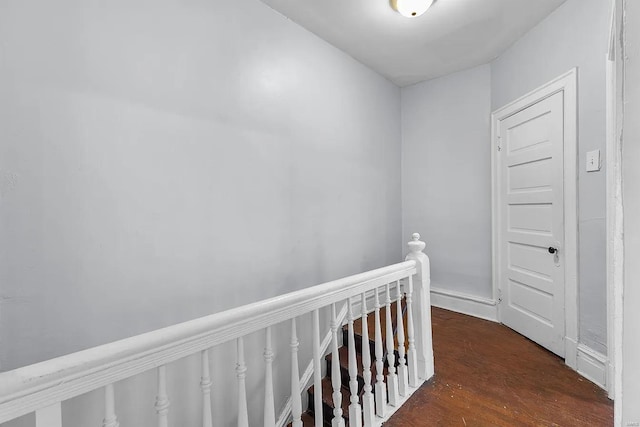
x=451, y=36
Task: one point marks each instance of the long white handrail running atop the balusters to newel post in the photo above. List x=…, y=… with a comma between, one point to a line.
x=33, y=387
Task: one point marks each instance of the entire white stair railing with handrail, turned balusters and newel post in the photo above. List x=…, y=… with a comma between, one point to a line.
x=42, y=387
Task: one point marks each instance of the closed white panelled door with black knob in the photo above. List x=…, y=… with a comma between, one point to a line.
x=531, y=221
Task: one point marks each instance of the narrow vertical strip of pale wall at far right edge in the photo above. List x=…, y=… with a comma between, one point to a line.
x=631, y=194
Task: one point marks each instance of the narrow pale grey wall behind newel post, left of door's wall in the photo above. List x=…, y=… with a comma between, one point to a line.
x=446, y=176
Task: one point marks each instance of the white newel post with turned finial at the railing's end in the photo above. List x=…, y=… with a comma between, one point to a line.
x=422, y=298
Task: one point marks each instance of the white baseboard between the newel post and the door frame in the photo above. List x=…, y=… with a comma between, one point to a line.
x=459, y=302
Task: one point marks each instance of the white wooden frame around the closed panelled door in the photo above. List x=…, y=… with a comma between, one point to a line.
x=568, y=84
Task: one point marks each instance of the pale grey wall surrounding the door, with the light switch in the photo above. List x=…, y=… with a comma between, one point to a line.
x=575, y=35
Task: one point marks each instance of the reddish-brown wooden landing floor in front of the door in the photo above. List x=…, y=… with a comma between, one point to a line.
x=488, y=375
